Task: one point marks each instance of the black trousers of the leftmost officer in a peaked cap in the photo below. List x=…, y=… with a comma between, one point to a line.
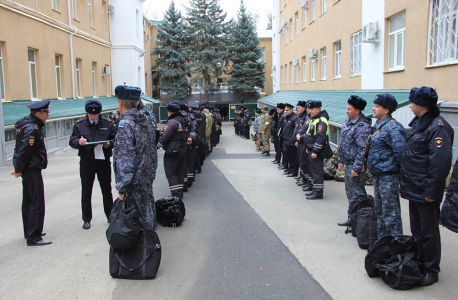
x=33, y=205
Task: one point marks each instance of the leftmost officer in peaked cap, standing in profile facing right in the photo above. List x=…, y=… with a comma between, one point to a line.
x=30, y=157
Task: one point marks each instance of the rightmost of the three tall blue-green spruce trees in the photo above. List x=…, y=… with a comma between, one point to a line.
x=247, y=70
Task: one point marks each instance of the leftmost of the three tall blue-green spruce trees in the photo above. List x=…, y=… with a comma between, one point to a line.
x=171, y=64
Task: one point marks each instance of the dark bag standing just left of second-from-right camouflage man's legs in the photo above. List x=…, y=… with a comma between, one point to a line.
x=366, y=230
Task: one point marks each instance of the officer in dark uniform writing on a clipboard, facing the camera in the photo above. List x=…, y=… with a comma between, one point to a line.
x=90, y=129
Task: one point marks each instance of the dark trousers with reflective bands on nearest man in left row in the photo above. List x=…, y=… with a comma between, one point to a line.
x=175, y=168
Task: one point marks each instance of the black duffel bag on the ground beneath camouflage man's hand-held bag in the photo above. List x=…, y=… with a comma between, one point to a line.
x=140, y=261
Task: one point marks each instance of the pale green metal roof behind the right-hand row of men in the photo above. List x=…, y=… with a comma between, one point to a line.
x=335, y=101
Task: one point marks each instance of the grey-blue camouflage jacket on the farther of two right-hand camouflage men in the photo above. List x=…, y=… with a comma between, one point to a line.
x=353, y=142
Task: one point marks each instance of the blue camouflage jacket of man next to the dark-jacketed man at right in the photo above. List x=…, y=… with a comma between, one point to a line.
x=387, y=147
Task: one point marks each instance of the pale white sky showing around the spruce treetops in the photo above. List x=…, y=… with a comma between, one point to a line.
x=261, y=7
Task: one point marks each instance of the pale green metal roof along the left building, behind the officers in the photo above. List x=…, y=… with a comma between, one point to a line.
x=15, y=110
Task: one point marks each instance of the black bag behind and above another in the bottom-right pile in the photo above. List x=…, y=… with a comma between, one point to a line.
x=386, y=247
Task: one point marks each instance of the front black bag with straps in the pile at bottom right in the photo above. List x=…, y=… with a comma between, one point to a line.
x=400, y=271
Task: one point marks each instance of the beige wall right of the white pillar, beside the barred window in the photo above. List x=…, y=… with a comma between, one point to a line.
x=416, y=72
